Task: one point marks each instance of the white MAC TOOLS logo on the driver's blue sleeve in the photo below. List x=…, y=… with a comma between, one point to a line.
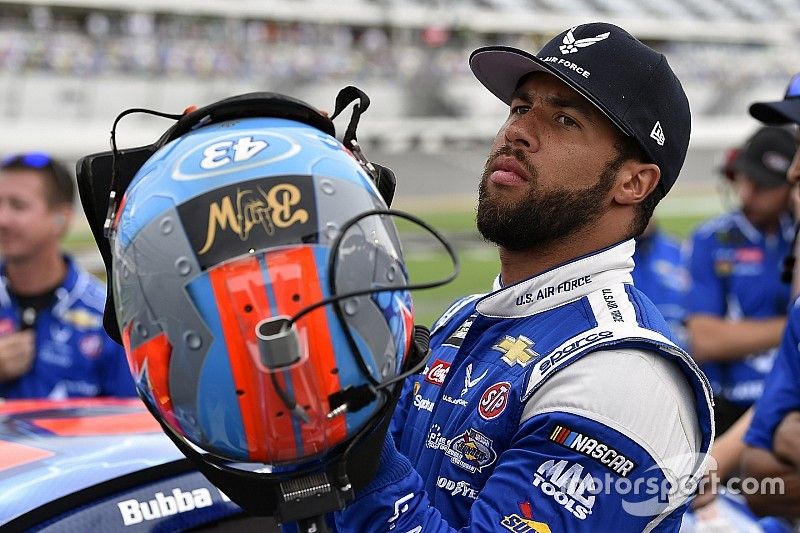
x=567, y=485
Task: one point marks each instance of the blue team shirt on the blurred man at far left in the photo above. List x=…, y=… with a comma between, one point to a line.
x=74, y=356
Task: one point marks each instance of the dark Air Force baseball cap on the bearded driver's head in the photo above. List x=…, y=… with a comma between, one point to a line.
x=632, y=84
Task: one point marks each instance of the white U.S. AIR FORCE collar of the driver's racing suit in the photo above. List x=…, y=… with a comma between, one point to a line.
x=562, y=284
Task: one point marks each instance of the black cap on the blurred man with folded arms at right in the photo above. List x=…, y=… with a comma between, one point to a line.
x=766, y=156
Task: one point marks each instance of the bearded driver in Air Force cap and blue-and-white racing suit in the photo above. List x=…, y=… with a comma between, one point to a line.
x=552, y=403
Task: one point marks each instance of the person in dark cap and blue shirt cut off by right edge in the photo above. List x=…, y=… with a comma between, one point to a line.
x=773, y=439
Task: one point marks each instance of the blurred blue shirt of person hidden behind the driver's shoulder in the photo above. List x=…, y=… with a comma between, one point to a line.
x=659, y=273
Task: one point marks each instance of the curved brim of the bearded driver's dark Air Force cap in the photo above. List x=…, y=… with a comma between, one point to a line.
x=499, y=69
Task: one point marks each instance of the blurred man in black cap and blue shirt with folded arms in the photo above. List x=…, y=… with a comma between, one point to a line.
x=736, y=302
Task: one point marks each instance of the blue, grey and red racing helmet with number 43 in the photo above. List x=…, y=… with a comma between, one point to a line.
x=225, y=244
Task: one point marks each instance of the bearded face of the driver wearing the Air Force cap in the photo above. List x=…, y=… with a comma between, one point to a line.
x=551, y=168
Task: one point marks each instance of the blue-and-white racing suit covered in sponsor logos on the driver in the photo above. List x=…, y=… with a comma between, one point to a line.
x=555, y=404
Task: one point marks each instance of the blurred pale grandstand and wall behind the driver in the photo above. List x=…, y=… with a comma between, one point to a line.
x=67, y=67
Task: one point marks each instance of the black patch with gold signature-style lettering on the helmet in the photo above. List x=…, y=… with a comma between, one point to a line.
x=252, y=215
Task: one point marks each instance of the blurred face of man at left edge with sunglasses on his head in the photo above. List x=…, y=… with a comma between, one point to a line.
x=27, y=224
